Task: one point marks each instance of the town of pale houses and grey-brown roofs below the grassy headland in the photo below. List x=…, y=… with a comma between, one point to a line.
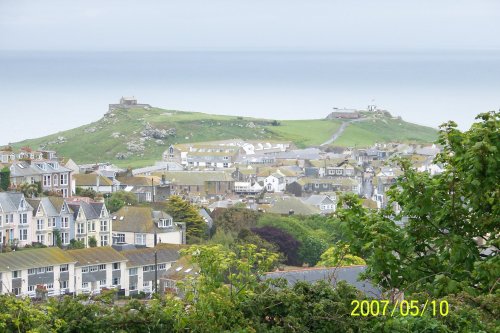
x=93, y=227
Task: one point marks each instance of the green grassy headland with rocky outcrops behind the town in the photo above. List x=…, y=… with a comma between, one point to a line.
x=125, y=136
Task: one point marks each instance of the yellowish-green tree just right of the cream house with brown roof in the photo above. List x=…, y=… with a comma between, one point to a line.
x=183, y=211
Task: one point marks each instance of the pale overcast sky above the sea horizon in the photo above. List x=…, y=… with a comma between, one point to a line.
x=249, y=25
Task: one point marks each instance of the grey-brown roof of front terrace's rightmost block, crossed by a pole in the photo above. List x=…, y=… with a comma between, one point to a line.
x=145, y=256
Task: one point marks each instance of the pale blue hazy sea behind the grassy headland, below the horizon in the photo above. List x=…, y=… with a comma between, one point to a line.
x=45, y=92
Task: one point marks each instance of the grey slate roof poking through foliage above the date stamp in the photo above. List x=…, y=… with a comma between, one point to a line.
x=311, y=275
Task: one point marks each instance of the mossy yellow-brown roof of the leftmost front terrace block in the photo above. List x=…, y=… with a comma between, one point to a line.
x=31, y=258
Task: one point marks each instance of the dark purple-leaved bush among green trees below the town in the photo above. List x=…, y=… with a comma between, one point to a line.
x=286, y=243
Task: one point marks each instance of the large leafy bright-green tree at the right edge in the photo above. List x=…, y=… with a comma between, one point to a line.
x=450, y=240
